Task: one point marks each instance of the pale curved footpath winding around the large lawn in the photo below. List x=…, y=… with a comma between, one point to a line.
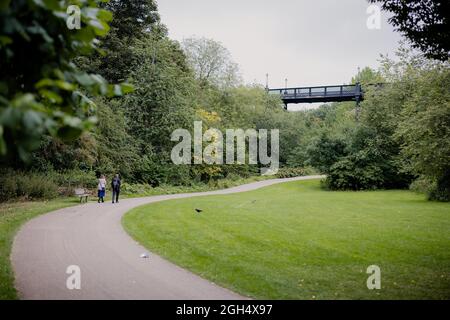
x=91, y=236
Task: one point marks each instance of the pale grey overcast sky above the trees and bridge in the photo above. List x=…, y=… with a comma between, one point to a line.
x=321, y=42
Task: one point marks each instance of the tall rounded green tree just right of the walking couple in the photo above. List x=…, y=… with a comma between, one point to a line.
x=163, y=101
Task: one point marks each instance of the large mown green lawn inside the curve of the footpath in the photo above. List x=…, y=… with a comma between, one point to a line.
x=296, y=241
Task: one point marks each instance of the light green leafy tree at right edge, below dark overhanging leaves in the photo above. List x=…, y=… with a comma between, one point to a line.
x=424, y=129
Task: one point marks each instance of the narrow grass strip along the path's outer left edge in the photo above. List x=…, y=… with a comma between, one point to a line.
x=12, y=217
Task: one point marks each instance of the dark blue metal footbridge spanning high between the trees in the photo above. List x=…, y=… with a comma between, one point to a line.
x=336, y=93
